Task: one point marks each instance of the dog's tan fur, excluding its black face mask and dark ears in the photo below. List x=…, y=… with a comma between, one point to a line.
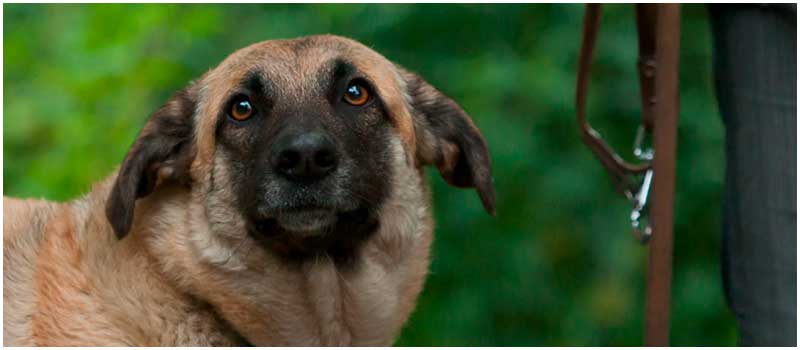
x=187, y=274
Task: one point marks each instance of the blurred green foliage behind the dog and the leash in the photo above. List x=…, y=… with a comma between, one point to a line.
x=558, y=266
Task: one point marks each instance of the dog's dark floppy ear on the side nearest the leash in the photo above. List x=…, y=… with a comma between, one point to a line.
x=447, y=137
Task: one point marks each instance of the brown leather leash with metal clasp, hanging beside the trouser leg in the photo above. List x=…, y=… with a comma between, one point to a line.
x=658, y=27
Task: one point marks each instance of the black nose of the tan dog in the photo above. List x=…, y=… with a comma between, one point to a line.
x=308, y=156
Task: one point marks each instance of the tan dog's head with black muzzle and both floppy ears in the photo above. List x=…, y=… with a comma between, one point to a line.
x=297, y=139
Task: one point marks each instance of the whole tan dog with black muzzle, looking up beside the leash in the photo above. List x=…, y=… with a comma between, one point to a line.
x=278, y=199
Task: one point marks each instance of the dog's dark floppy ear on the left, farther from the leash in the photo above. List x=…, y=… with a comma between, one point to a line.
x=162, y=151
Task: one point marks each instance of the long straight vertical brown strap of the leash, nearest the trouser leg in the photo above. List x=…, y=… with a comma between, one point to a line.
x=665, y=124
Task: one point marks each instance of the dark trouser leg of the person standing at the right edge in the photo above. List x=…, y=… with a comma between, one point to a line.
x=755, y=71
